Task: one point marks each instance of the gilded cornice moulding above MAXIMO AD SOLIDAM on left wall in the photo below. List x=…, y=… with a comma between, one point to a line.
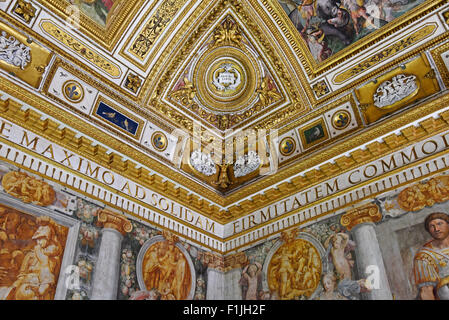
x=49, y=129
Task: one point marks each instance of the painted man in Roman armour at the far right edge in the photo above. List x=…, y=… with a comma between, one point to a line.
x=431, y=263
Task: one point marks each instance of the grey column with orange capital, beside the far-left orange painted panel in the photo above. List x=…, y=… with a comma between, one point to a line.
x=107, y=267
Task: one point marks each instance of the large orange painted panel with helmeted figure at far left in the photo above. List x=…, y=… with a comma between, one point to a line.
x=32, y=264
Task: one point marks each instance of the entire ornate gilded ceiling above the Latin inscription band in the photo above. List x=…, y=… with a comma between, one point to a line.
x=225, y=106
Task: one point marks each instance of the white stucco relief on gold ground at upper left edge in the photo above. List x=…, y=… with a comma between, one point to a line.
x=13, y=52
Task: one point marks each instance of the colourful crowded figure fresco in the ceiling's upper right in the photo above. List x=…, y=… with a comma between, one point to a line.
x=329, y=26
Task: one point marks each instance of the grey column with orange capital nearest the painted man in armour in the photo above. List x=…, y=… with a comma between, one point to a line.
x=360, y=221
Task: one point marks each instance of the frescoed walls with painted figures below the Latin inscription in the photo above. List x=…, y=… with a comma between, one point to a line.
x=321, y=261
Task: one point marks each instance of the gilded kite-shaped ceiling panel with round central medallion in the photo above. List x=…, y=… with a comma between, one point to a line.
x=227, y=80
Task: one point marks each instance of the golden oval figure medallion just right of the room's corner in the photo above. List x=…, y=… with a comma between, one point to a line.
x=295, y=270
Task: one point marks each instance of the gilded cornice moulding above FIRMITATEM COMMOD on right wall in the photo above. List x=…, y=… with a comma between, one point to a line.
x=375, y=150
